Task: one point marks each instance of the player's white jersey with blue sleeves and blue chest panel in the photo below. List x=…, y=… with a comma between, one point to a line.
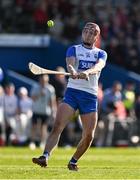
x=85, y=59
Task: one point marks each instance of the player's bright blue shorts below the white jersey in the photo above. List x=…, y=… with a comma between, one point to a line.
x=81, y=100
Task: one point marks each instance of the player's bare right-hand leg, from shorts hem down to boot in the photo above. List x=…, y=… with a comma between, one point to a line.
x=89, y=122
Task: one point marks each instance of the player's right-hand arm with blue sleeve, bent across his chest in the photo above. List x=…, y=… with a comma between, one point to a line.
x=96, y=68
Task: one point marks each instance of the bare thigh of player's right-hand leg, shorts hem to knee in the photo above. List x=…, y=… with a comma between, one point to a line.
x=89, y=122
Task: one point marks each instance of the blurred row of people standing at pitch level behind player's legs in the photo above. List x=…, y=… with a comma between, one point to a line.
x=27, y=116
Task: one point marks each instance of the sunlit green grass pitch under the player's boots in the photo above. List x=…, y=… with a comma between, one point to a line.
x=97, y=163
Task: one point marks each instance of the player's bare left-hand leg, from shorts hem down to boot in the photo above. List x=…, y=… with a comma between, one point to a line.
x=64, y=114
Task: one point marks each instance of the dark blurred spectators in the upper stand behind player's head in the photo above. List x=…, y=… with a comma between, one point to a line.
x=119, y=22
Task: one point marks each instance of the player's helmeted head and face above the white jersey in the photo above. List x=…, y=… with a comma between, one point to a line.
x=89, y=34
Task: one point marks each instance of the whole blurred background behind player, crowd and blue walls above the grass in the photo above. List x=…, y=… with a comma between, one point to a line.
x=25, y=37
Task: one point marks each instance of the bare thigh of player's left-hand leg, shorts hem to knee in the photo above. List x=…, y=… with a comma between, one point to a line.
x=64, y=114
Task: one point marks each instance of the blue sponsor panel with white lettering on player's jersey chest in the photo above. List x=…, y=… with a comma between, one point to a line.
x=84, y=65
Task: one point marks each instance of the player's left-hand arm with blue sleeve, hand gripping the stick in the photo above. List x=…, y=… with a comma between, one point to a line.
x=70, y=62
